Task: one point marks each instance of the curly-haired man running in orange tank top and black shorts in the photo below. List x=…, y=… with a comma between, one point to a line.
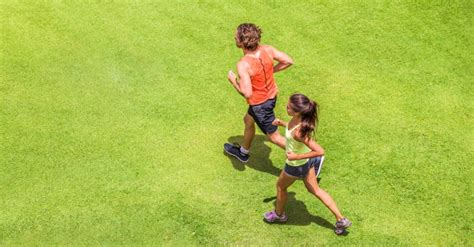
x=257, y=84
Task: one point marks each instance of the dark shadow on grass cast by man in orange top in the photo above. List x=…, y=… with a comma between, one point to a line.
x=259, y=156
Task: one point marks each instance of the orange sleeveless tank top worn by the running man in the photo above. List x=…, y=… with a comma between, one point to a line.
x=263, y=83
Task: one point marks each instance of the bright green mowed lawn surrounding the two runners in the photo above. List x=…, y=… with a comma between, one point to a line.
x=113, y=115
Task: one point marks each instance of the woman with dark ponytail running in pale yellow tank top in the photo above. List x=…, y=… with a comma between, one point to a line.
x=304, y=160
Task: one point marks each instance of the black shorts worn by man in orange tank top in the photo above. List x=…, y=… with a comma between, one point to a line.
x=263, y=115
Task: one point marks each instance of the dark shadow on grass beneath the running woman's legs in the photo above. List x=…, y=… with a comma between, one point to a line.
x=299, y=215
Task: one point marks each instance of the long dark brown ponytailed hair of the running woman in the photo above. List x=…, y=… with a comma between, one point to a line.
x=308, y=111
